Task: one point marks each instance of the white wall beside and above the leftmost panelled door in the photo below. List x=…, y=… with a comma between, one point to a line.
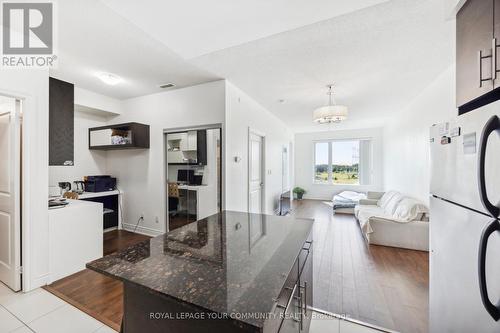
x=33, y=86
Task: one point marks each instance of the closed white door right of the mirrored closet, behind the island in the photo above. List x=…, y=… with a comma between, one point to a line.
x=255, y=173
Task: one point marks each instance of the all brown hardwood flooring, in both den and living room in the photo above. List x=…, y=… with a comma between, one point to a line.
x=384, y=286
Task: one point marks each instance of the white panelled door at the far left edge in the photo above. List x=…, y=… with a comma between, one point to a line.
x=10, y=200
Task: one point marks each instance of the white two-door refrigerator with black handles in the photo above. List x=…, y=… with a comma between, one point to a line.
x=464, y=225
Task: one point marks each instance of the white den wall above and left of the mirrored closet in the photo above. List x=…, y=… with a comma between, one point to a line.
x=141, y=173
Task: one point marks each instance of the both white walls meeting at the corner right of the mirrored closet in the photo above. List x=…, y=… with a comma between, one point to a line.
x=141, y=175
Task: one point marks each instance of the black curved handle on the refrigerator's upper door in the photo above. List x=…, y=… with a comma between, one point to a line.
x=492, y=125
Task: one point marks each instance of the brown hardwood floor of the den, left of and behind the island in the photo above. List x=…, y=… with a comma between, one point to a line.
x=95, y=294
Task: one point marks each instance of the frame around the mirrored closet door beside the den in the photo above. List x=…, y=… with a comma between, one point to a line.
x=222, y=192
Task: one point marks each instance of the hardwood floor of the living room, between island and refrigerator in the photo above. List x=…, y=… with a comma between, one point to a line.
x=384, y=286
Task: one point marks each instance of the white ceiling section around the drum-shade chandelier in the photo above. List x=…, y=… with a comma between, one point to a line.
x=379, y=57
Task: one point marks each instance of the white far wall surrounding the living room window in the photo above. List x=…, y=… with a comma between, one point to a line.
x=304, y=161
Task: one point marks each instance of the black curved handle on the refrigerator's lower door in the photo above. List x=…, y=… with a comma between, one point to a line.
x=493, y=309
